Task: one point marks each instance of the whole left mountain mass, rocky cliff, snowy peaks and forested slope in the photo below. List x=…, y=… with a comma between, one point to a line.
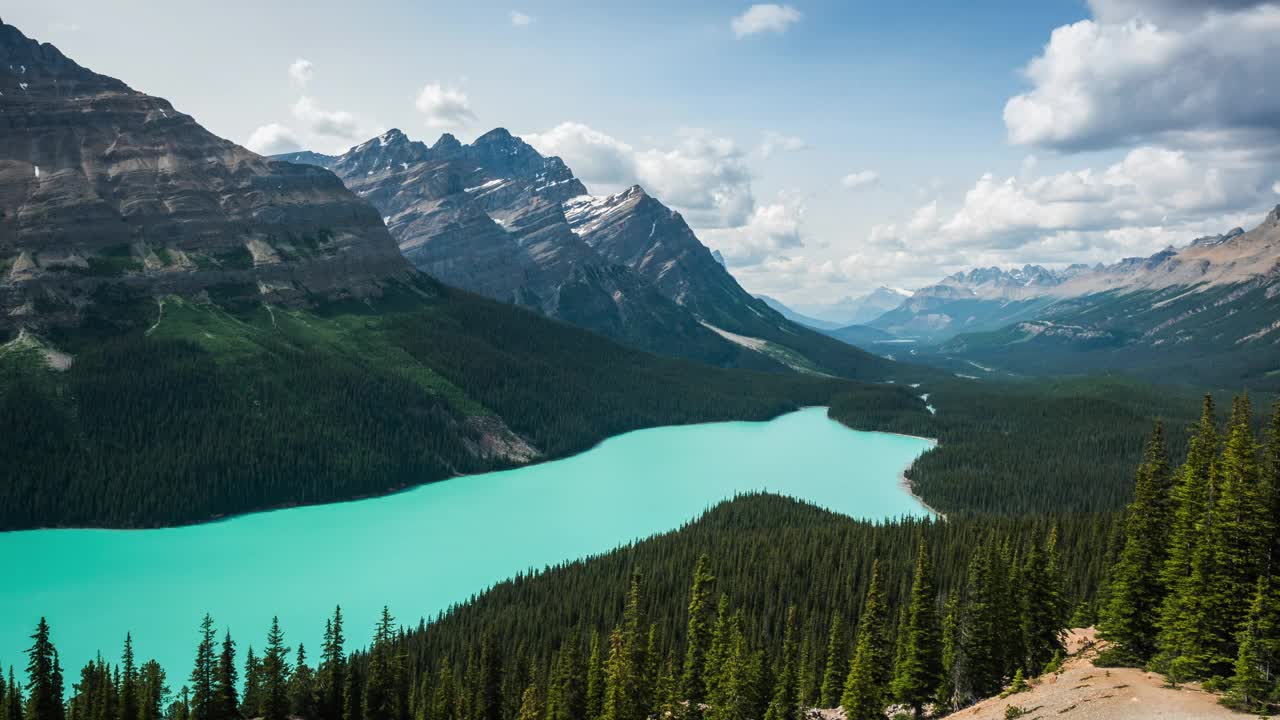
x=180, y=316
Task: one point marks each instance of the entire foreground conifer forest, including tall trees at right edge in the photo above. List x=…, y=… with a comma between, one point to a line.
x=767, y=607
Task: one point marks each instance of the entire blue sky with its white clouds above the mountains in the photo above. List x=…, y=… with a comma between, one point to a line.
x=825, y=148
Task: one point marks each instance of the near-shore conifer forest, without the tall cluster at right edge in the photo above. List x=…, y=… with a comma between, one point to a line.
x=737, y=623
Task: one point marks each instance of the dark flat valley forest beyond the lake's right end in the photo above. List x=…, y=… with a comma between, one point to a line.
x=1044, y=446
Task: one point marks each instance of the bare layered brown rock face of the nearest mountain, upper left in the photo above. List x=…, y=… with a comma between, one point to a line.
x=102, y=186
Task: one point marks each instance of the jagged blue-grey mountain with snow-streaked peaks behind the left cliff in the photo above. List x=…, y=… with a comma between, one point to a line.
x=499, y=218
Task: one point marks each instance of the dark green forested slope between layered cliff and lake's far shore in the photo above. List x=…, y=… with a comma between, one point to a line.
x=167, y=425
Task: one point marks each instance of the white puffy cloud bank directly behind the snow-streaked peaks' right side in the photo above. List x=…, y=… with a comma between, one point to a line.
x=703, y=175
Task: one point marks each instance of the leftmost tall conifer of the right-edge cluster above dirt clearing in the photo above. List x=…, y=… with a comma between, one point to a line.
x=1131, y=617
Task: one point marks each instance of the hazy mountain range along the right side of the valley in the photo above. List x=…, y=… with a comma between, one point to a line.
x=1204, y=313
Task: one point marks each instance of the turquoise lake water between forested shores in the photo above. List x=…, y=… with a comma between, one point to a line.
x=423, y=550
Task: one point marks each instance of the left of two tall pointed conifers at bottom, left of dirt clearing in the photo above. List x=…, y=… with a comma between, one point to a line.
x=867, y=687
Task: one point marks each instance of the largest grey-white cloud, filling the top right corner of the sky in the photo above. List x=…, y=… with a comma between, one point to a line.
x=1197, y=74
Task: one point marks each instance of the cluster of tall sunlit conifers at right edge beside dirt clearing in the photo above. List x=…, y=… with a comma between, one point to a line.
x=1194, y=591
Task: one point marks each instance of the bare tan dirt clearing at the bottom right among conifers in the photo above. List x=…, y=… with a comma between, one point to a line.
x=1086, y=692
